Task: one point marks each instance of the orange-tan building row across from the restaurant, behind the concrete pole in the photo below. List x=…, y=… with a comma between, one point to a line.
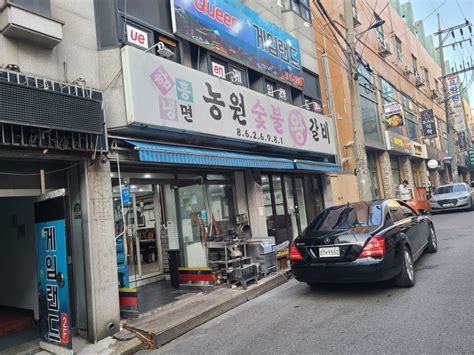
x=400, y=97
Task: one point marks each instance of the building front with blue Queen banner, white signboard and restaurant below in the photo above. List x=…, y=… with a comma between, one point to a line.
x=211, y=132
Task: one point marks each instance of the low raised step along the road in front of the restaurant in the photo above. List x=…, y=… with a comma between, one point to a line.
x=168, y=322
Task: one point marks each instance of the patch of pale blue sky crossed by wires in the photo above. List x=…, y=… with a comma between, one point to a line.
x=452, y=13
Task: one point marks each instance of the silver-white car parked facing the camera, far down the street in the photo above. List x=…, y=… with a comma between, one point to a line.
x=455, y=196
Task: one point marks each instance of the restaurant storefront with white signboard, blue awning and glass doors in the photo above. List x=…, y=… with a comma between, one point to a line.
x=200, y=161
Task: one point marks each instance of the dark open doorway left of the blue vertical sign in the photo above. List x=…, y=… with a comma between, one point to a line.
x=19, y=310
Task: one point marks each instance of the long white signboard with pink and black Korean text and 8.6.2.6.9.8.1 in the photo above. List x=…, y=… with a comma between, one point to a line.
x=166, y=95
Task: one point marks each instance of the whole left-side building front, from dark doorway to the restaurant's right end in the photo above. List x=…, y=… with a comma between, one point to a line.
x=154, y=126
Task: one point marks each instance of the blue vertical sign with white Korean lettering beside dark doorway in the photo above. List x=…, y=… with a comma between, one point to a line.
x=53, y=283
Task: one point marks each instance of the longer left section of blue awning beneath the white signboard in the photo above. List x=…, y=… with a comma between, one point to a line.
x=161, y=153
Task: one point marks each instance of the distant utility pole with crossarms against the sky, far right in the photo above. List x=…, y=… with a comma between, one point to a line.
x=452, y=146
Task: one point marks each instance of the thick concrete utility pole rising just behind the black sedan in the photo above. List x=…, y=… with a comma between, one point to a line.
x=360, y=154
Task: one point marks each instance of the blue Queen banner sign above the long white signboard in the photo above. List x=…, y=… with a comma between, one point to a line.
x=234, y=31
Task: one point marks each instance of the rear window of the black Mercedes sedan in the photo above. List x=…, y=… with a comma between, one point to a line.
x=348, y=216
